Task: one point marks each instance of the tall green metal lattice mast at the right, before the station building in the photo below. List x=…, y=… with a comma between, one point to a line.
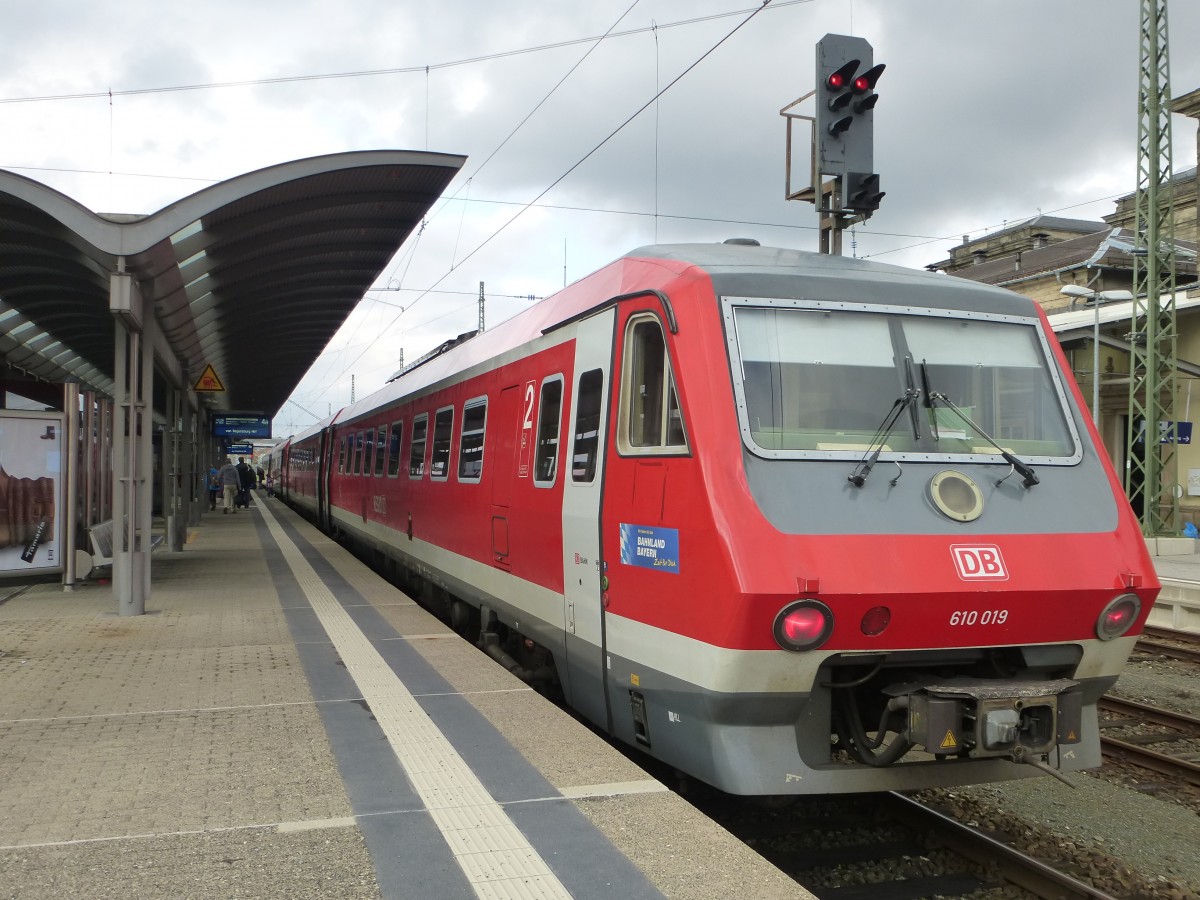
x=1151, y=464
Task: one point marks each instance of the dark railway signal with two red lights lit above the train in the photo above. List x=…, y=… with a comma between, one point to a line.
x=843, y=140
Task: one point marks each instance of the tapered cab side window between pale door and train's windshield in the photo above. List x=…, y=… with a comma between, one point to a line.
x=651, y=417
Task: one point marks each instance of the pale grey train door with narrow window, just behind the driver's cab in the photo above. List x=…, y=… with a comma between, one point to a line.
x=584, y=481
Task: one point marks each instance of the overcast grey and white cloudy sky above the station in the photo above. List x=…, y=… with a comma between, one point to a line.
x=991, y=112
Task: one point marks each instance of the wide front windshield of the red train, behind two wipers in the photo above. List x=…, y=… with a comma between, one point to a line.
x=821, y=381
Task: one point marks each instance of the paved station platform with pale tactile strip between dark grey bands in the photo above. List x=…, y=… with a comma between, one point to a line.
x=285, y=724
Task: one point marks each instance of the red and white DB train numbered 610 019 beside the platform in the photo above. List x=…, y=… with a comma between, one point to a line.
x=790, y=523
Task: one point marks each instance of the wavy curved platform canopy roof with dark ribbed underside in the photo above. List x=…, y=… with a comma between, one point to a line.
x=251, y=277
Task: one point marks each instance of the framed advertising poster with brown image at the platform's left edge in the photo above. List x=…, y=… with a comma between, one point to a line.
x=31, y=493
